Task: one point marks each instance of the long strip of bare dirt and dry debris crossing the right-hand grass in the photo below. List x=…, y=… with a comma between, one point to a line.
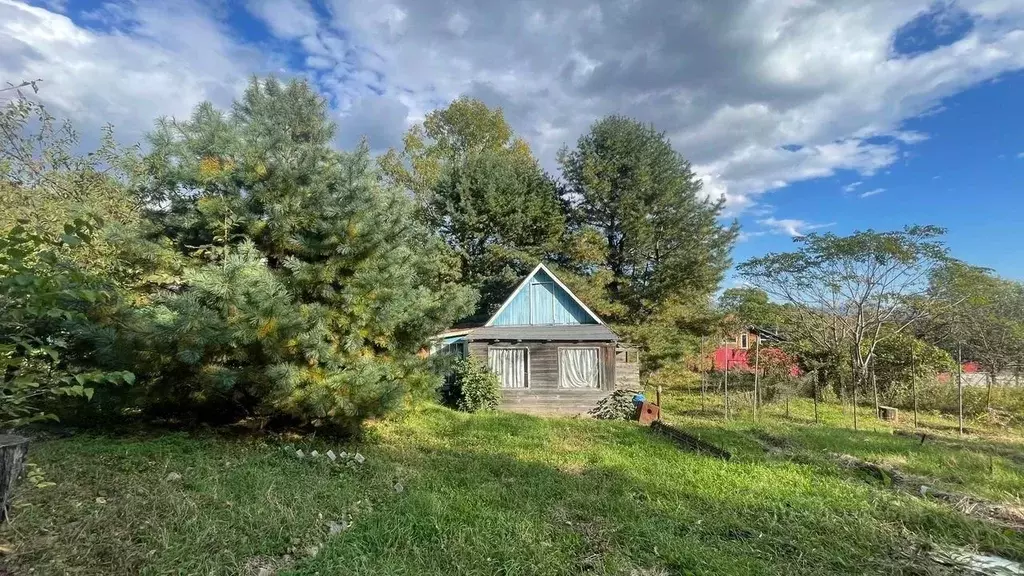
x=1003, y=515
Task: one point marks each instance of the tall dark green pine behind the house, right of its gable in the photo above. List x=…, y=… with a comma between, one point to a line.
x=662, y=236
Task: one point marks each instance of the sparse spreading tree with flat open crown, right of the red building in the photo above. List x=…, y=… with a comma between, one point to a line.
x=844, y=297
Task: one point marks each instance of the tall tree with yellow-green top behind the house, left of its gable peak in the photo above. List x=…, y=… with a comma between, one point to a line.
x=481, y=189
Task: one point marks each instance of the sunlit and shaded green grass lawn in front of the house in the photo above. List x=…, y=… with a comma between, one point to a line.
x=487, y=495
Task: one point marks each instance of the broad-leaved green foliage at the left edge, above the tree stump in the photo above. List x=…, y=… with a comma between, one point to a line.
x=45, y=300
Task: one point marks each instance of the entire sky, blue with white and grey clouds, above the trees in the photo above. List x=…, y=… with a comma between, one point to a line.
x=807, y=115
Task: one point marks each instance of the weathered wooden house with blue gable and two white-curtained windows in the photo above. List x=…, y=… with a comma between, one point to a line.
x=550, y=351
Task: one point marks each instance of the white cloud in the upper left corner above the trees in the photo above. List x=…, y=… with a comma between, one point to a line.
x=162, y=60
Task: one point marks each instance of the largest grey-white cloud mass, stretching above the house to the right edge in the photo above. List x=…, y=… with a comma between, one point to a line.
x=783, y=93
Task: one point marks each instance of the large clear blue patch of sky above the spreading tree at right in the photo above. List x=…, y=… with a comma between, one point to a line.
x=968, y=177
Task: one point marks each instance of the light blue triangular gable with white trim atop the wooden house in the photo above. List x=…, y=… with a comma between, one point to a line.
x=541, y=301
